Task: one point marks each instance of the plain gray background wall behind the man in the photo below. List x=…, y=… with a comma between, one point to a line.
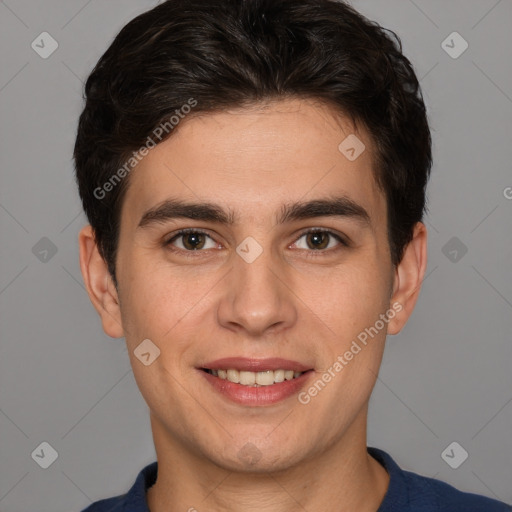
x=445, y=378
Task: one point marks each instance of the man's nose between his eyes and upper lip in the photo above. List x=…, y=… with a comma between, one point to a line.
x=258, y=299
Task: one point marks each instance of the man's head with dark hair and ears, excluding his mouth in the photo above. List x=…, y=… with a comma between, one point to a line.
x=233, y=119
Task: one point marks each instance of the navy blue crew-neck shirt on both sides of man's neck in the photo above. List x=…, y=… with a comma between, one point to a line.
x=407, y=492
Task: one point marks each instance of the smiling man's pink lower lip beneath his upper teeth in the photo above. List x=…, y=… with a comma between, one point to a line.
x=257, y=395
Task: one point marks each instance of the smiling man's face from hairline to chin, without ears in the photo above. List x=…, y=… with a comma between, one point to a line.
x=258, y=287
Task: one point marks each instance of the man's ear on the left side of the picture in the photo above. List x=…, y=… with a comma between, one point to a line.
x=99, y=284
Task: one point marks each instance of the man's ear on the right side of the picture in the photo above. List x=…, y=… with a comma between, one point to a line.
x=409, y=276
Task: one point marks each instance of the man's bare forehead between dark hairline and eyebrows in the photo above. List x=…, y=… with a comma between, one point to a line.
x=253, y=159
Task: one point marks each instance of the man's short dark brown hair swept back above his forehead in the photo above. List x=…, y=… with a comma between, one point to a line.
x=233, y=53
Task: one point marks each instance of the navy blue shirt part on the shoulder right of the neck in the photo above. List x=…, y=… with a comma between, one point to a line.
x=409, y=491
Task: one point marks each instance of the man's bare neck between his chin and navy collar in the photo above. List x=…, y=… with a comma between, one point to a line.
x=342, y=478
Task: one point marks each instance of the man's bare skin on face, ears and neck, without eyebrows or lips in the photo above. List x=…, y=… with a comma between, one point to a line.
x=294, y=301
